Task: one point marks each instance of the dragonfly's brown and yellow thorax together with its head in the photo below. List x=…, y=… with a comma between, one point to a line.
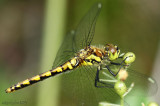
x=93, y=54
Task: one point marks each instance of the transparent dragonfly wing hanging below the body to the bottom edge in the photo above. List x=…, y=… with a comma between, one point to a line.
x=78, y=89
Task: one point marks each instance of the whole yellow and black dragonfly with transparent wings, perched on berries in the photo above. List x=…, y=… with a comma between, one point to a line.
x=81, y=66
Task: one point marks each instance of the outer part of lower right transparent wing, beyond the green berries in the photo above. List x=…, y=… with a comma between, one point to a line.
x=143, y=85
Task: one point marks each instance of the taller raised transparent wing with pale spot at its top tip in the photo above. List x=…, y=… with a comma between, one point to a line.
x=86, y=28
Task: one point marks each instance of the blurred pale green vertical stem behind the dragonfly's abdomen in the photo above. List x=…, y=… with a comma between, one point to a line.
x=53, y=31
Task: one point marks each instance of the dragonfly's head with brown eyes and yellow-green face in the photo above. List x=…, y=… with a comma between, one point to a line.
x=112, y=51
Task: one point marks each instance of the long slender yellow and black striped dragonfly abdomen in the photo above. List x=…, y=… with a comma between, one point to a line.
x=73, y=63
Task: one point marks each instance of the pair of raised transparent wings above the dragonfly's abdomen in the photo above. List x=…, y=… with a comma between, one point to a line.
x=79, y=38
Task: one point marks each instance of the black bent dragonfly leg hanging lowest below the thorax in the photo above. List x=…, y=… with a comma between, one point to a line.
x=106, y=85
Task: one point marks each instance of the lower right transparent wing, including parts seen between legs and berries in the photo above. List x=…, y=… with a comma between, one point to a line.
x=143, y=85
